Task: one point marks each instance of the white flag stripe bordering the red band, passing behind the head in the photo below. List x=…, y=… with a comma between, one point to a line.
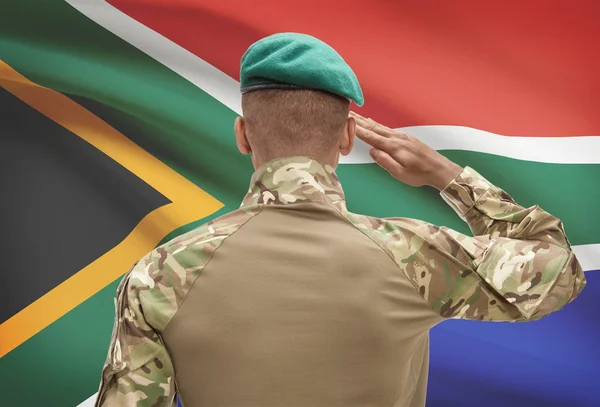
x=575, y=150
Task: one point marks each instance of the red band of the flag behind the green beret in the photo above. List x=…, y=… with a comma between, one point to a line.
x=504, y=67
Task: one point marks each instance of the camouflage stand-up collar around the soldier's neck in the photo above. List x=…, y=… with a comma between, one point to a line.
x=294, y=179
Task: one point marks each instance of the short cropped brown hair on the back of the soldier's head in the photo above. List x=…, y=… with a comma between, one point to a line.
x=288, y=122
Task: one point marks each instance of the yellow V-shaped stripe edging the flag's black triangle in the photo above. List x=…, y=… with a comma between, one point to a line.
x=189, y=203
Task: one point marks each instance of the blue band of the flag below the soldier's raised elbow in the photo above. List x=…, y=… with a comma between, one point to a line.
x=551, y=362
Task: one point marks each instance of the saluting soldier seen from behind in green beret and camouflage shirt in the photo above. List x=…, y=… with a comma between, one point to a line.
x=292, y=300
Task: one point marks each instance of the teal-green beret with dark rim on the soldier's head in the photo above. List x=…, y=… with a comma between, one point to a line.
x=297, y=61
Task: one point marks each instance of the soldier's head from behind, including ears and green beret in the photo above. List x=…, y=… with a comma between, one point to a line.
x=296, y=94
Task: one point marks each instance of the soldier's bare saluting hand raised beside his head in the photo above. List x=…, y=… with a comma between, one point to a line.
x=406, y=158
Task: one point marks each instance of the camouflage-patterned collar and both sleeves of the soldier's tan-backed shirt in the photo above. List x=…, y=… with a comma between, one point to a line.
x=518, y=266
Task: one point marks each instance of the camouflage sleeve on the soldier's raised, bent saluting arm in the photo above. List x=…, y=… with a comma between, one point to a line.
x=519, y=266
